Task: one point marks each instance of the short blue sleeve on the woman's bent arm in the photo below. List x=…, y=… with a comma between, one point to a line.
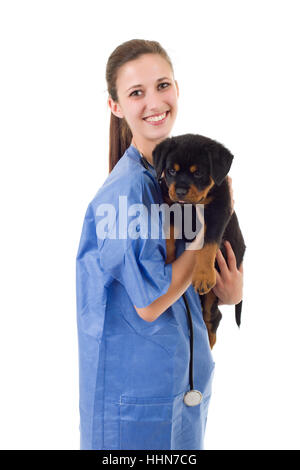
x=137, y=261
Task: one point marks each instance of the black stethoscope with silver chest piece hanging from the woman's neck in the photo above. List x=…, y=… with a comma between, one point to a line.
x=192, y=397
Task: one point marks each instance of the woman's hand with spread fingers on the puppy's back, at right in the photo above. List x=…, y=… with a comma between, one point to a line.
x=229, y=285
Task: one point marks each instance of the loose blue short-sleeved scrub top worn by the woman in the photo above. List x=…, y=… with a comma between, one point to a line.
x=133, y=374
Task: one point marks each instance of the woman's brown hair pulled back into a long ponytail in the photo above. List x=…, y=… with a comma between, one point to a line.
x=120, y=135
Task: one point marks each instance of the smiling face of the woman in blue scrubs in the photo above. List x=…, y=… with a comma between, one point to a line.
x=146, y=88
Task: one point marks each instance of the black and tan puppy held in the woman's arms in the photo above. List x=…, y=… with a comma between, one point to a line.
x=194, y=170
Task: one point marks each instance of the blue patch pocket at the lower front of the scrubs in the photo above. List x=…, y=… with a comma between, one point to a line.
x=149, y=423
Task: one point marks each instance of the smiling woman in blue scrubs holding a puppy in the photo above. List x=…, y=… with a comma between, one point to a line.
x=133, y=332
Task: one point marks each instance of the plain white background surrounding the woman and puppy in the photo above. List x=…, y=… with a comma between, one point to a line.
x=237, y=64
